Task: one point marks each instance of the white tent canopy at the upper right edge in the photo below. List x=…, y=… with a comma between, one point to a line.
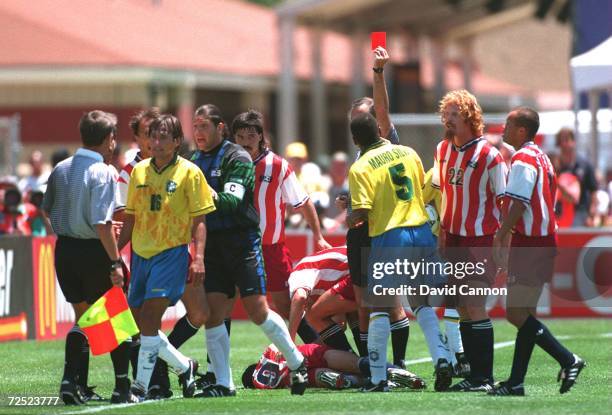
x=593, y=69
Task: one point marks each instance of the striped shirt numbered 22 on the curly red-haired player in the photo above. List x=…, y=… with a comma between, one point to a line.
x=471, y=179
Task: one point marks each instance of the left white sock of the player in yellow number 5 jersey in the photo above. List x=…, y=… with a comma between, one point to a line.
x=379, y=330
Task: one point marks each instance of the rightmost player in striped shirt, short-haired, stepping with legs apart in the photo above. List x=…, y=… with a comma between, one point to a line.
x=531, y=189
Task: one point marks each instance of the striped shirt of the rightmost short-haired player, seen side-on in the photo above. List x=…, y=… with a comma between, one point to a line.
x=532, y=181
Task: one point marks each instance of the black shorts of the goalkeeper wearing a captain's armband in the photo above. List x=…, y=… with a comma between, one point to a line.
x=233, y=259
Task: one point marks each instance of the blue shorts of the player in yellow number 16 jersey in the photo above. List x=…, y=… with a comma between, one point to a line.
x=162, y=276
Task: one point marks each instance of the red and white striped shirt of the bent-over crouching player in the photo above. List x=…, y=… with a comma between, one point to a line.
x=319, y=272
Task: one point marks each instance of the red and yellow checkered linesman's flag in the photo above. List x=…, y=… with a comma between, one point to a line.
x=108, y=322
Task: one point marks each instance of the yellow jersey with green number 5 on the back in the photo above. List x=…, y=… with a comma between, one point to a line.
x=387, y=180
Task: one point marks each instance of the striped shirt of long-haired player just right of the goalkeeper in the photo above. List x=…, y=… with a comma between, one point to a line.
x=275, y=186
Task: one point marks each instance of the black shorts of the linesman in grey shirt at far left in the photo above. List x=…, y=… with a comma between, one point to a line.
x=83, y=269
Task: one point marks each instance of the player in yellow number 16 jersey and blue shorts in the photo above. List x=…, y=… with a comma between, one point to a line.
x=168, y=198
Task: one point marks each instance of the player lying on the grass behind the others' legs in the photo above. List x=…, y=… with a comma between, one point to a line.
x=327, y=368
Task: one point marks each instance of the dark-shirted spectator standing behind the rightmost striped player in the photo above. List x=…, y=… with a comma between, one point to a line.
x=571, y=162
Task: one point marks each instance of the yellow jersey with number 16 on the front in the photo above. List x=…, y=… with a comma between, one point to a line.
x=164, y=203
